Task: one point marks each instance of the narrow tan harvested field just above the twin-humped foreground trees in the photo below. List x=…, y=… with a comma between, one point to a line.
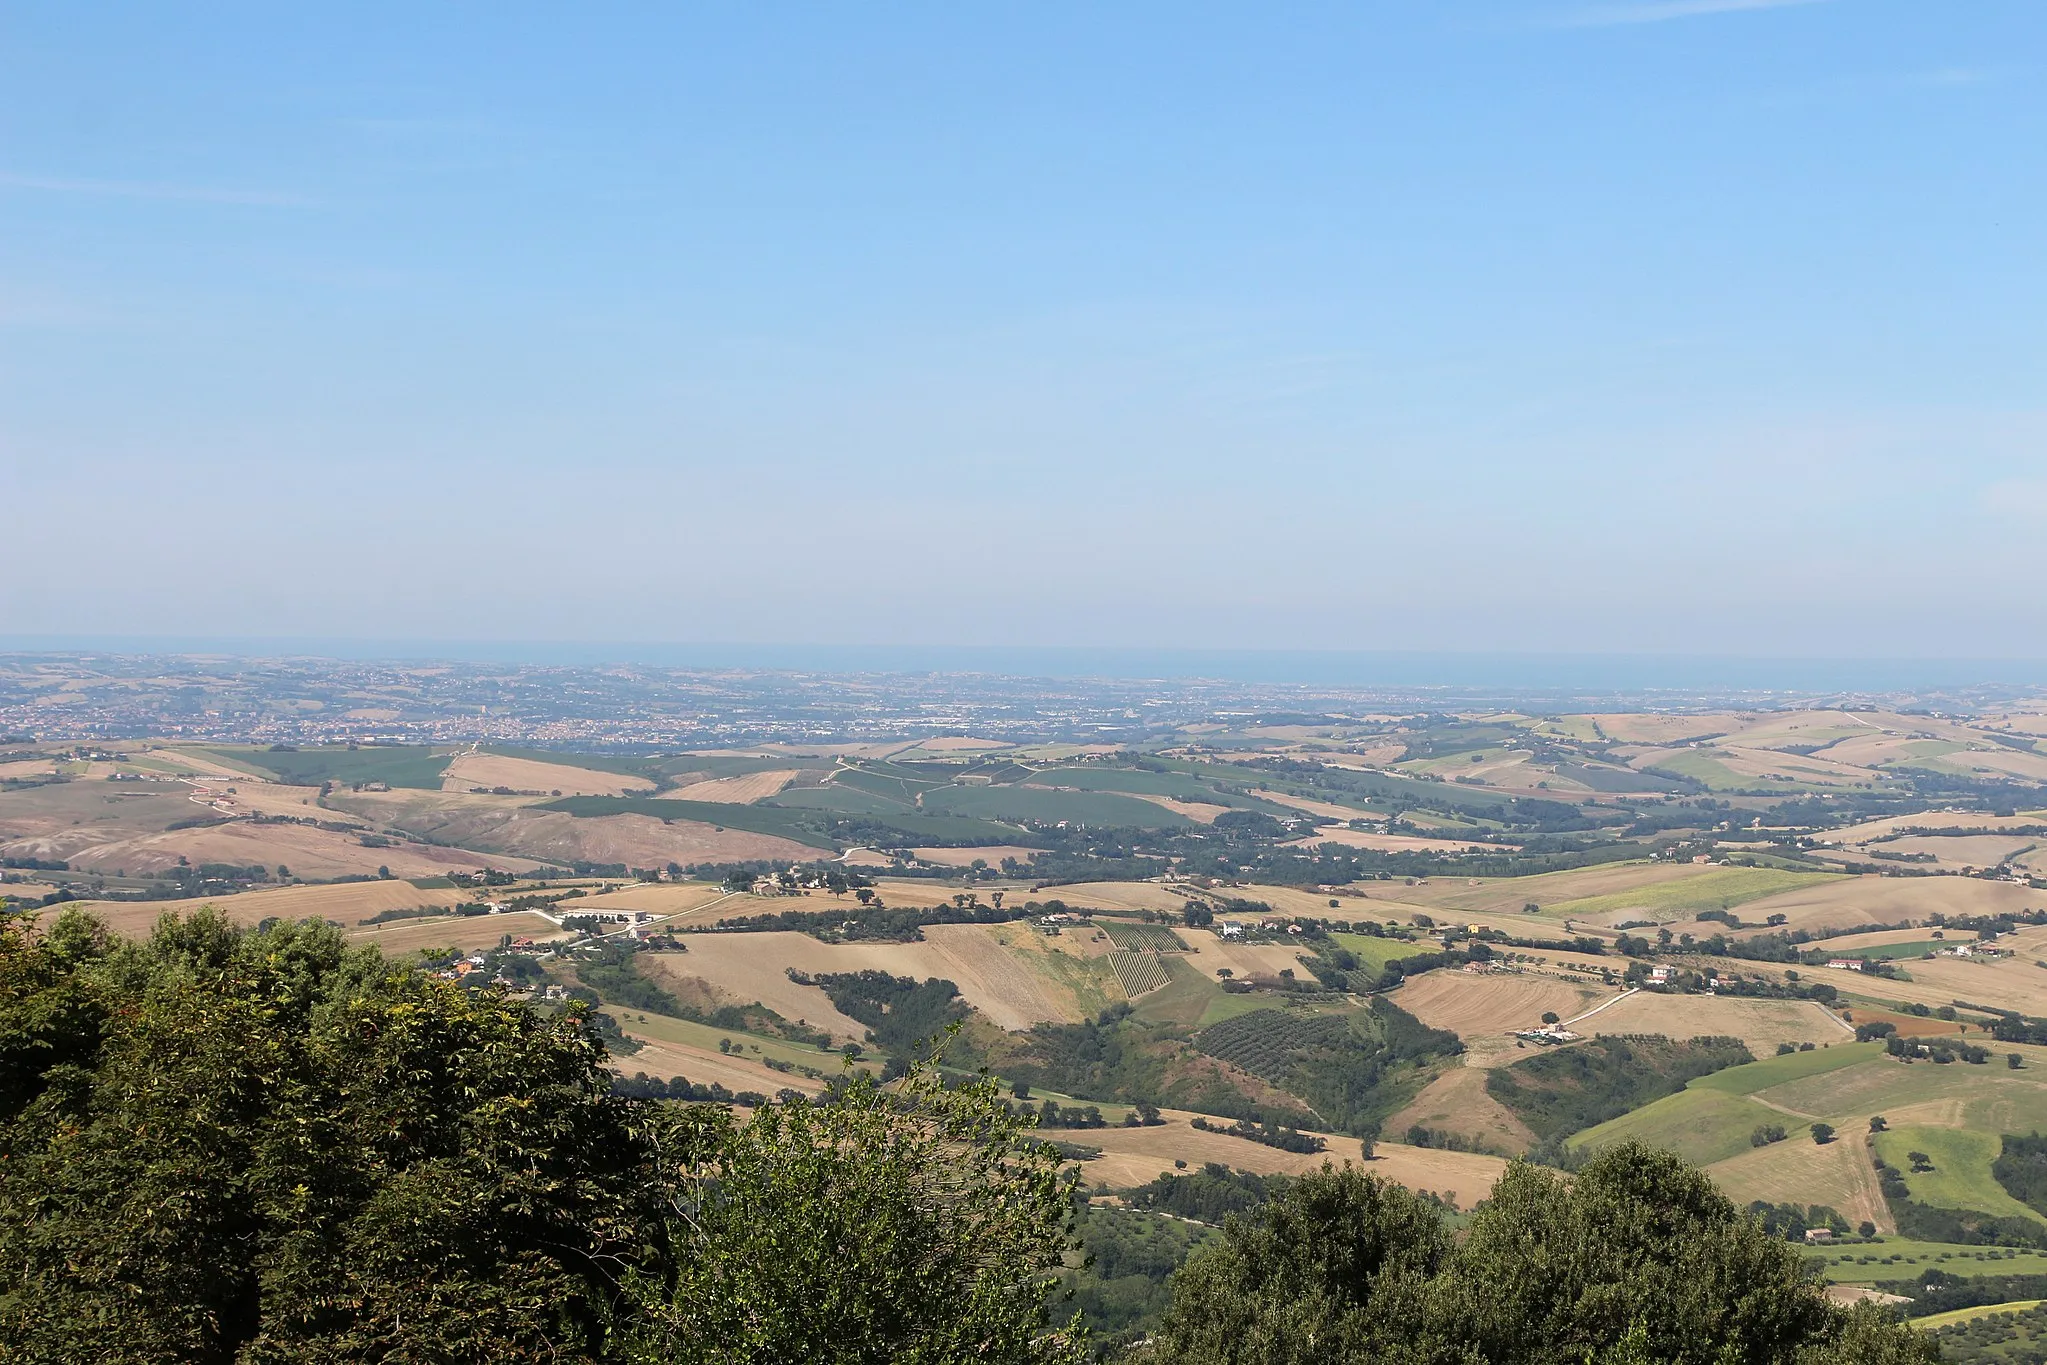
x=1135, y=1157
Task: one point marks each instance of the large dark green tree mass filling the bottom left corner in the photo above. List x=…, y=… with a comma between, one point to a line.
x=226, y=1145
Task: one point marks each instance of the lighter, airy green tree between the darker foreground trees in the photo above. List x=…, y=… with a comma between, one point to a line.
x=883, y=1227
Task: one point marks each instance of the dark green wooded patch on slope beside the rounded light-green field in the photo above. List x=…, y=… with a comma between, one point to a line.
x=1561, y=1092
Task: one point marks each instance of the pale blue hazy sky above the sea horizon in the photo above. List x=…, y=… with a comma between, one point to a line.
x=1485, y=324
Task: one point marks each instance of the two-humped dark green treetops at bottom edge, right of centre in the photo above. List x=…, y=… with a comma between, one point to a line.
x=1635, y=1260
